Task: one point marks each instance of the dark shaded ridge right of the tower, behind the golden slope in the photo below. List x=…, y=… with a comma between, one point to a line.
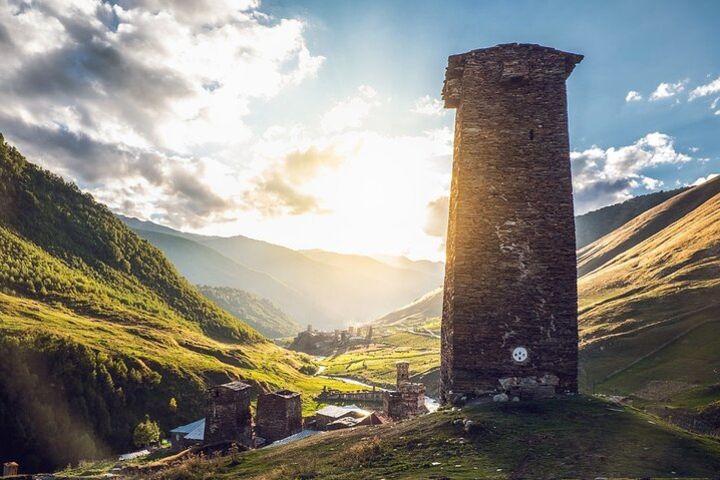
x=598, y=223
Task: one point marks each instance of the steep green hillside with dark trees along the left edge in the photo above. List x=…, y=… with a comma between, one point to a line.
x=97, y=328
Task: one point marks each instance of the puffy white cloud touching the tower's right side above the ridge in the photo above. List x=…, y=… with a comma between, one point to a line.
x=605, y=176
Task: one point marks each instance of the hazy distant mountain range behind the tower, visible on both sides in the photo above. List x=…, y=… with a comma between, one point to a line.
x=327, y=289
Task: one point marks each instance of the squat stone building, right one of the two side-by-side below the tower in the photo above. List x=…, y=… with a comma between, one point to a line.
x=279, y=415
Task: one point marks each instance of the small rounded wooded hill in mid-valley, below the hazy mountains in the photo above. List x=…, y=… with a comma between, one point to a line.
x=258, y=312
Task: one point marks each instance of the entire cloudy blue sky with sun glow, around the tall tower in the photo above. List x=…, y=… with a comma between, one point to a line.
x=318, y=124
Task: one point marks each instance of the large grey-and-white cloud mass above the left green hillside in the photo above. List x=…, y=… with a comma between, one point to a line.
x=137, y=100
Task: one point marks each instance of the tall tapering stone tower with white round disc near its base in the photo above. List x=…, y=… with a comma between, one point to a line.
x=510, y=298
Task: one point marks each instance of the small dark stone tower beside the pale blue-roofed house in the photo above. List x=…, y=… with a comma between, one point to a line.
x=227, y=415
